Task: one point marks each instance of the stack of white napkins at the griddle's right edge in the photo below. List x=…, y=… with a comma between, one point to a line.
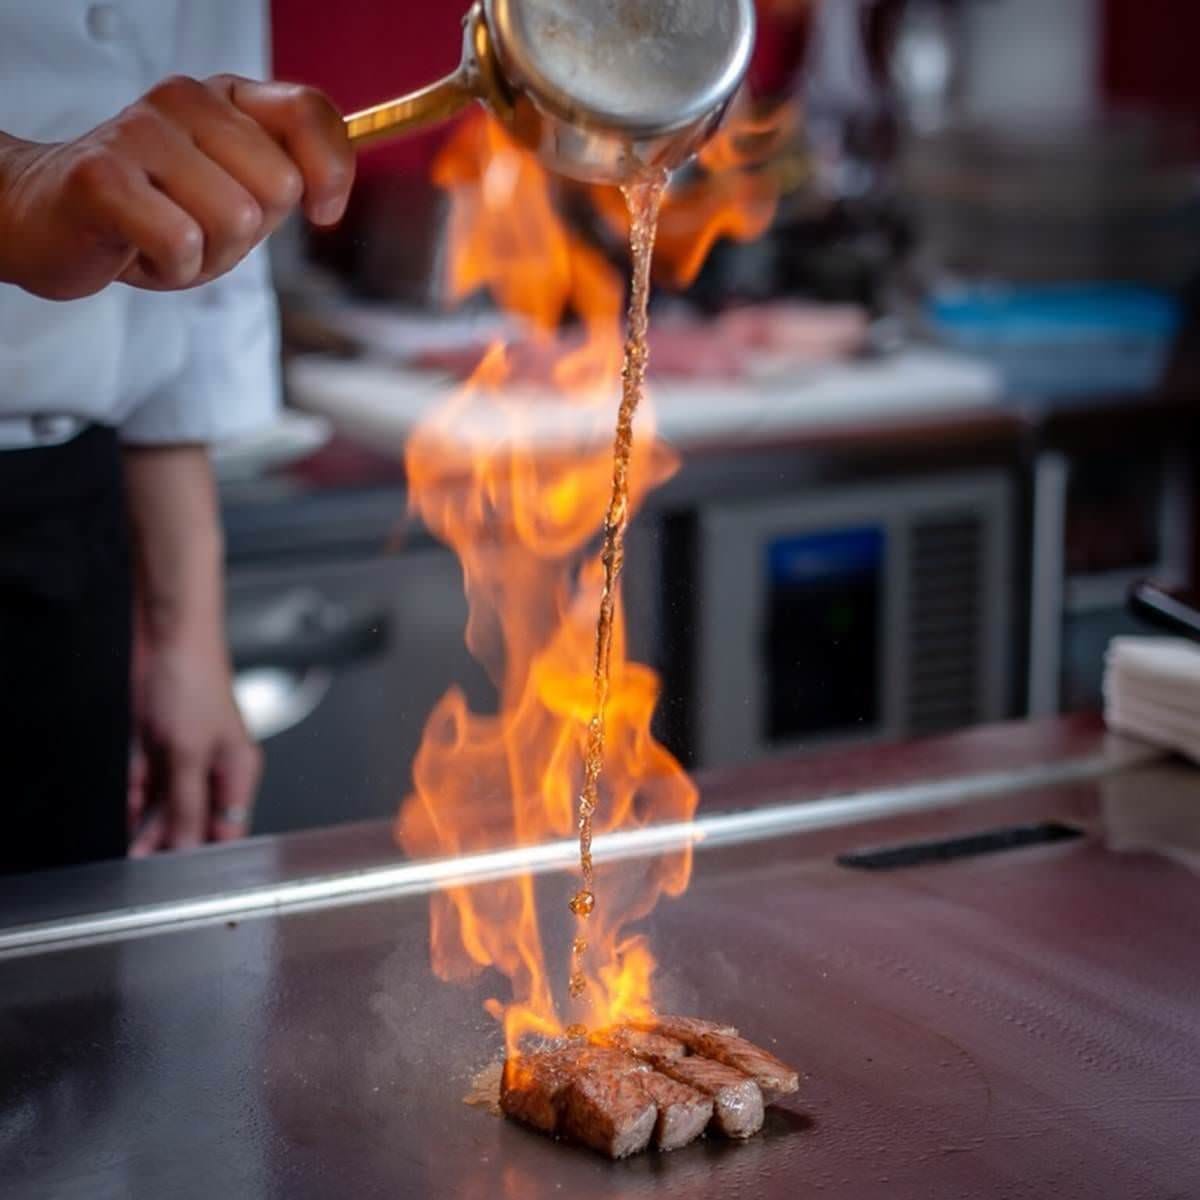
x=1153, y=692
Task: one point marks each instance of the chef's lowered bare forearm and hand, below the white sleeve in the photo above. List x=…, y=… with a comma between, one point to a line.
x=199, y=769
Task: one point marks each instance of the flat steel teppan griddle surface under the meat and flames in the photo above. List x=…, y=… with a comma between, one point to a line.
x=983, y=1010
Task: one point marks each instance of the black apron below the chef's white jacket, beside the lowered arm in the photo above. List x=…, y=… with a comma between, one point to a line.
x=65, y=646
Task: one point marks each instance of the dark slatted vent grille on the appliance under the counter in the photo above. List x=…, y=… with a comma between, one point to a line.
x=946, y=622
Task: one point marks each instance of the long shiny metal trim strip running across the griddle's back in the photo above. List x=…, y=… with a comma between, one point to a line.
x=415, y=879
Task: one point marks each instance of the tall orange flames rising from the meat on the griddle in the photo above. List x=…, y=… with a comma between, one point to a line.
x=514, y=473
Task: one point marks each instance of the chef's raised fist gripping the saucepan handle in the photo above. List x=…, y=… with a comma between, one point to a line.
x=173, y=191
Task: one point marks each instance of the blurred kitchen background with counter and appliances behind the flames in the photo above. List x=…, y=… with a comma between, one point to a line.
x=953, y=416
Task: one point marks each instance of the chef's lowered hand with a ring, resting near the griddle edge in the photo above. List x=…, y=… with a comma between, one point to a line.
x=196, y=770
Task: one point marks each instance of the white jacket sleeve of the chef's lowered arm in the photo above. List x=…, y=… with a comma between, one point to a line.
x=229, y=383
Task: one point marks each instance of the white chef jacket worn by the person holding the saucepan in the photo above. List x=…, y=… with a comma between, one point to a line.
x=163, y=368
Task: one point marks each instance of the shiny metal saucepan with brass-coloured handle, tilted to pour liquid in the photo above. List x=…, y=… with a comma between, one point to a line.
x=602, y=91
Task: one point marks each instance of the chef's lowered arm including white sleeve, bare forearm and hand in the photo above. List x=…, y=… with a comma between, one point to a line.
x=195, y=770
